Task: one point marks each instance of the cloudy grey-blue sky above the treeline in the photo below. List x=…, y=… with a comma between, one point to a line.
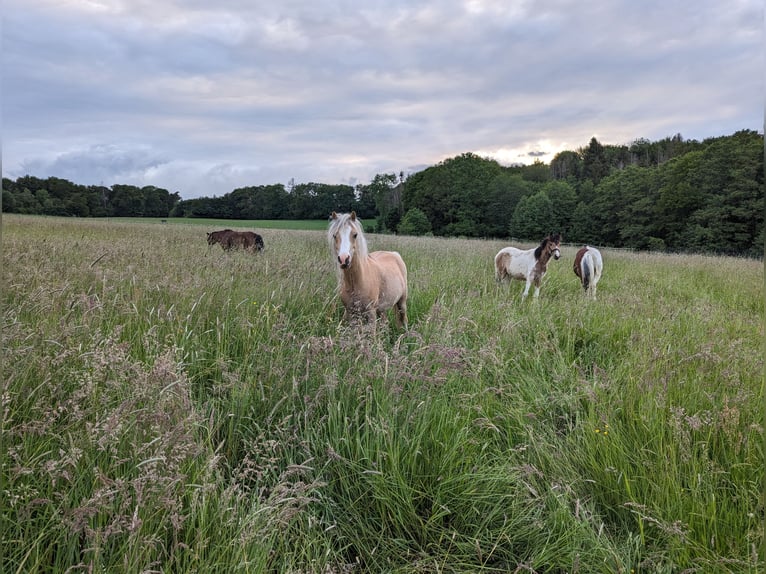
x=202, y=97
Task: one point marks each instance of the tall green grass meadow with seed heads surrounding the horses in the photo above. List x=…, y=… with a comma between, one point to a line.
x=169, y=407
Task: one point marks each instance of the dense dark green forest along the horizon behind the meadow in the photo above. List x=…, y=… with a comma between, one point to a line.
x=667, y=195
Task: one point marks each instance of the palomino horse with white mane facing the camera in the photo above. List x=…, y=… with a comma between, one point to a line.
x=369, y=283
